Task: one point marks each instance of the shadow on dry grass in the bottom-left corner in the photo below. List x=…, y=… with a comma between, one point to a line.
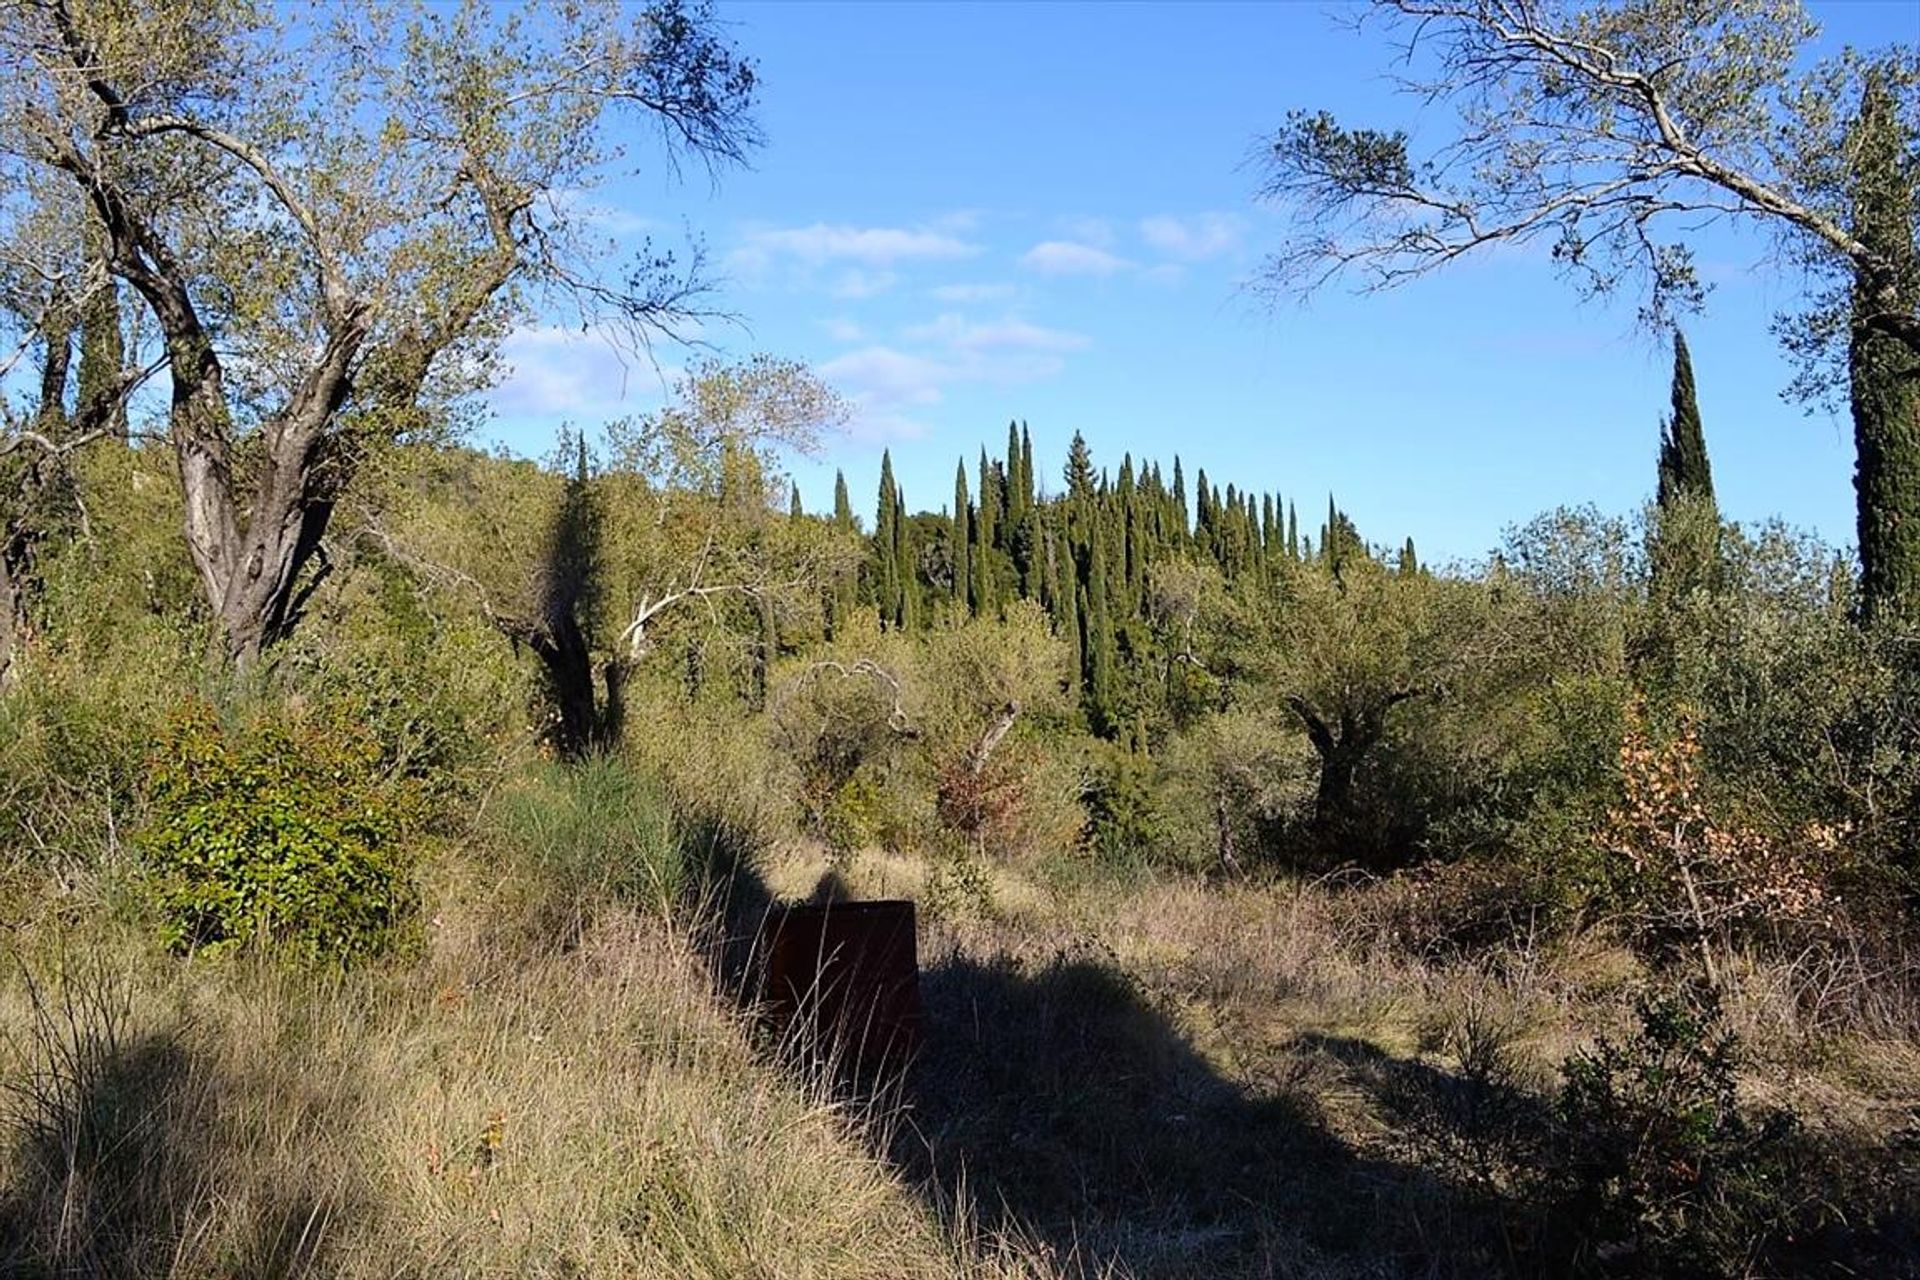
x=124, y=1166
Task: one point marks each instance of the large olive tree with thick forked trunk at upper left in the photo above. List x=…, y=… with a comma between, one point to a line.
x=335, y=218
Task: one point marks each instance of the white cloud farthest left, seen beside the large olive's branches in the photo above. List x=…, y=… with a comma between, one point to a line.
x=564, y=373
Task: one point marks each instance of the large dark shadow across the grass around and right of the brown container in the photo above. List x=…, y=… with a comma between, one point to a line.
x=1053, y=1102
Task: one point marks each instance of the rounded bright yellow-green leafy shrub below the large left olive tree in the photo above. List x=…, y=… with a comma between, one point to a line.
x=281, y=832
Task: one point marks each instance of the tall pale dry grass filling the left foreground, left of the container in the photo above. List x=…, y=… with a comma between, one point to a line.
x=475, y=1112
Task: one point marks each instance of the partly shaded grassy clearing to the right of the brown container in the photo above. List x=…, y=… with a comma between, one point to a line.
x=1243, y=1081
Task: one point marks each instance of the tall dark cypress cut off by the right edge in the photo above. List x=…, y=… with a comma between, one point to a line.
x=1883, y=373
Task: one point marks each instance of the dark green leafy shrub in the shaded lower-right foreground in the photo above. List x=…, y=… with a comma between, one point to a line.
x=1660, y=1168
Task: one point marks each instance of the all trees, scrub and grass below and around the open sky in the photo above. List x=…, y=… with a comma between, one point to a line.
x=383, y=863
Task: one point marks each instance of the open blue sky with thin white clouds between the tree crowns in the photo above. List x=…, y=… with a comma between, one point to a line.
x=974, y=214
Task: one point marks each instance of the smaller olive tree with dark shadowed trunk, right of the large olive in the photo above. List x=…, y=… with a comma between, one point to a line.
x=588, y=559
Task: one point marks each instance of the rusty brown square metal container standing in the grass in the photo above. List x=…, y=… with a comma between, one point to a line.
x=844, y=982
